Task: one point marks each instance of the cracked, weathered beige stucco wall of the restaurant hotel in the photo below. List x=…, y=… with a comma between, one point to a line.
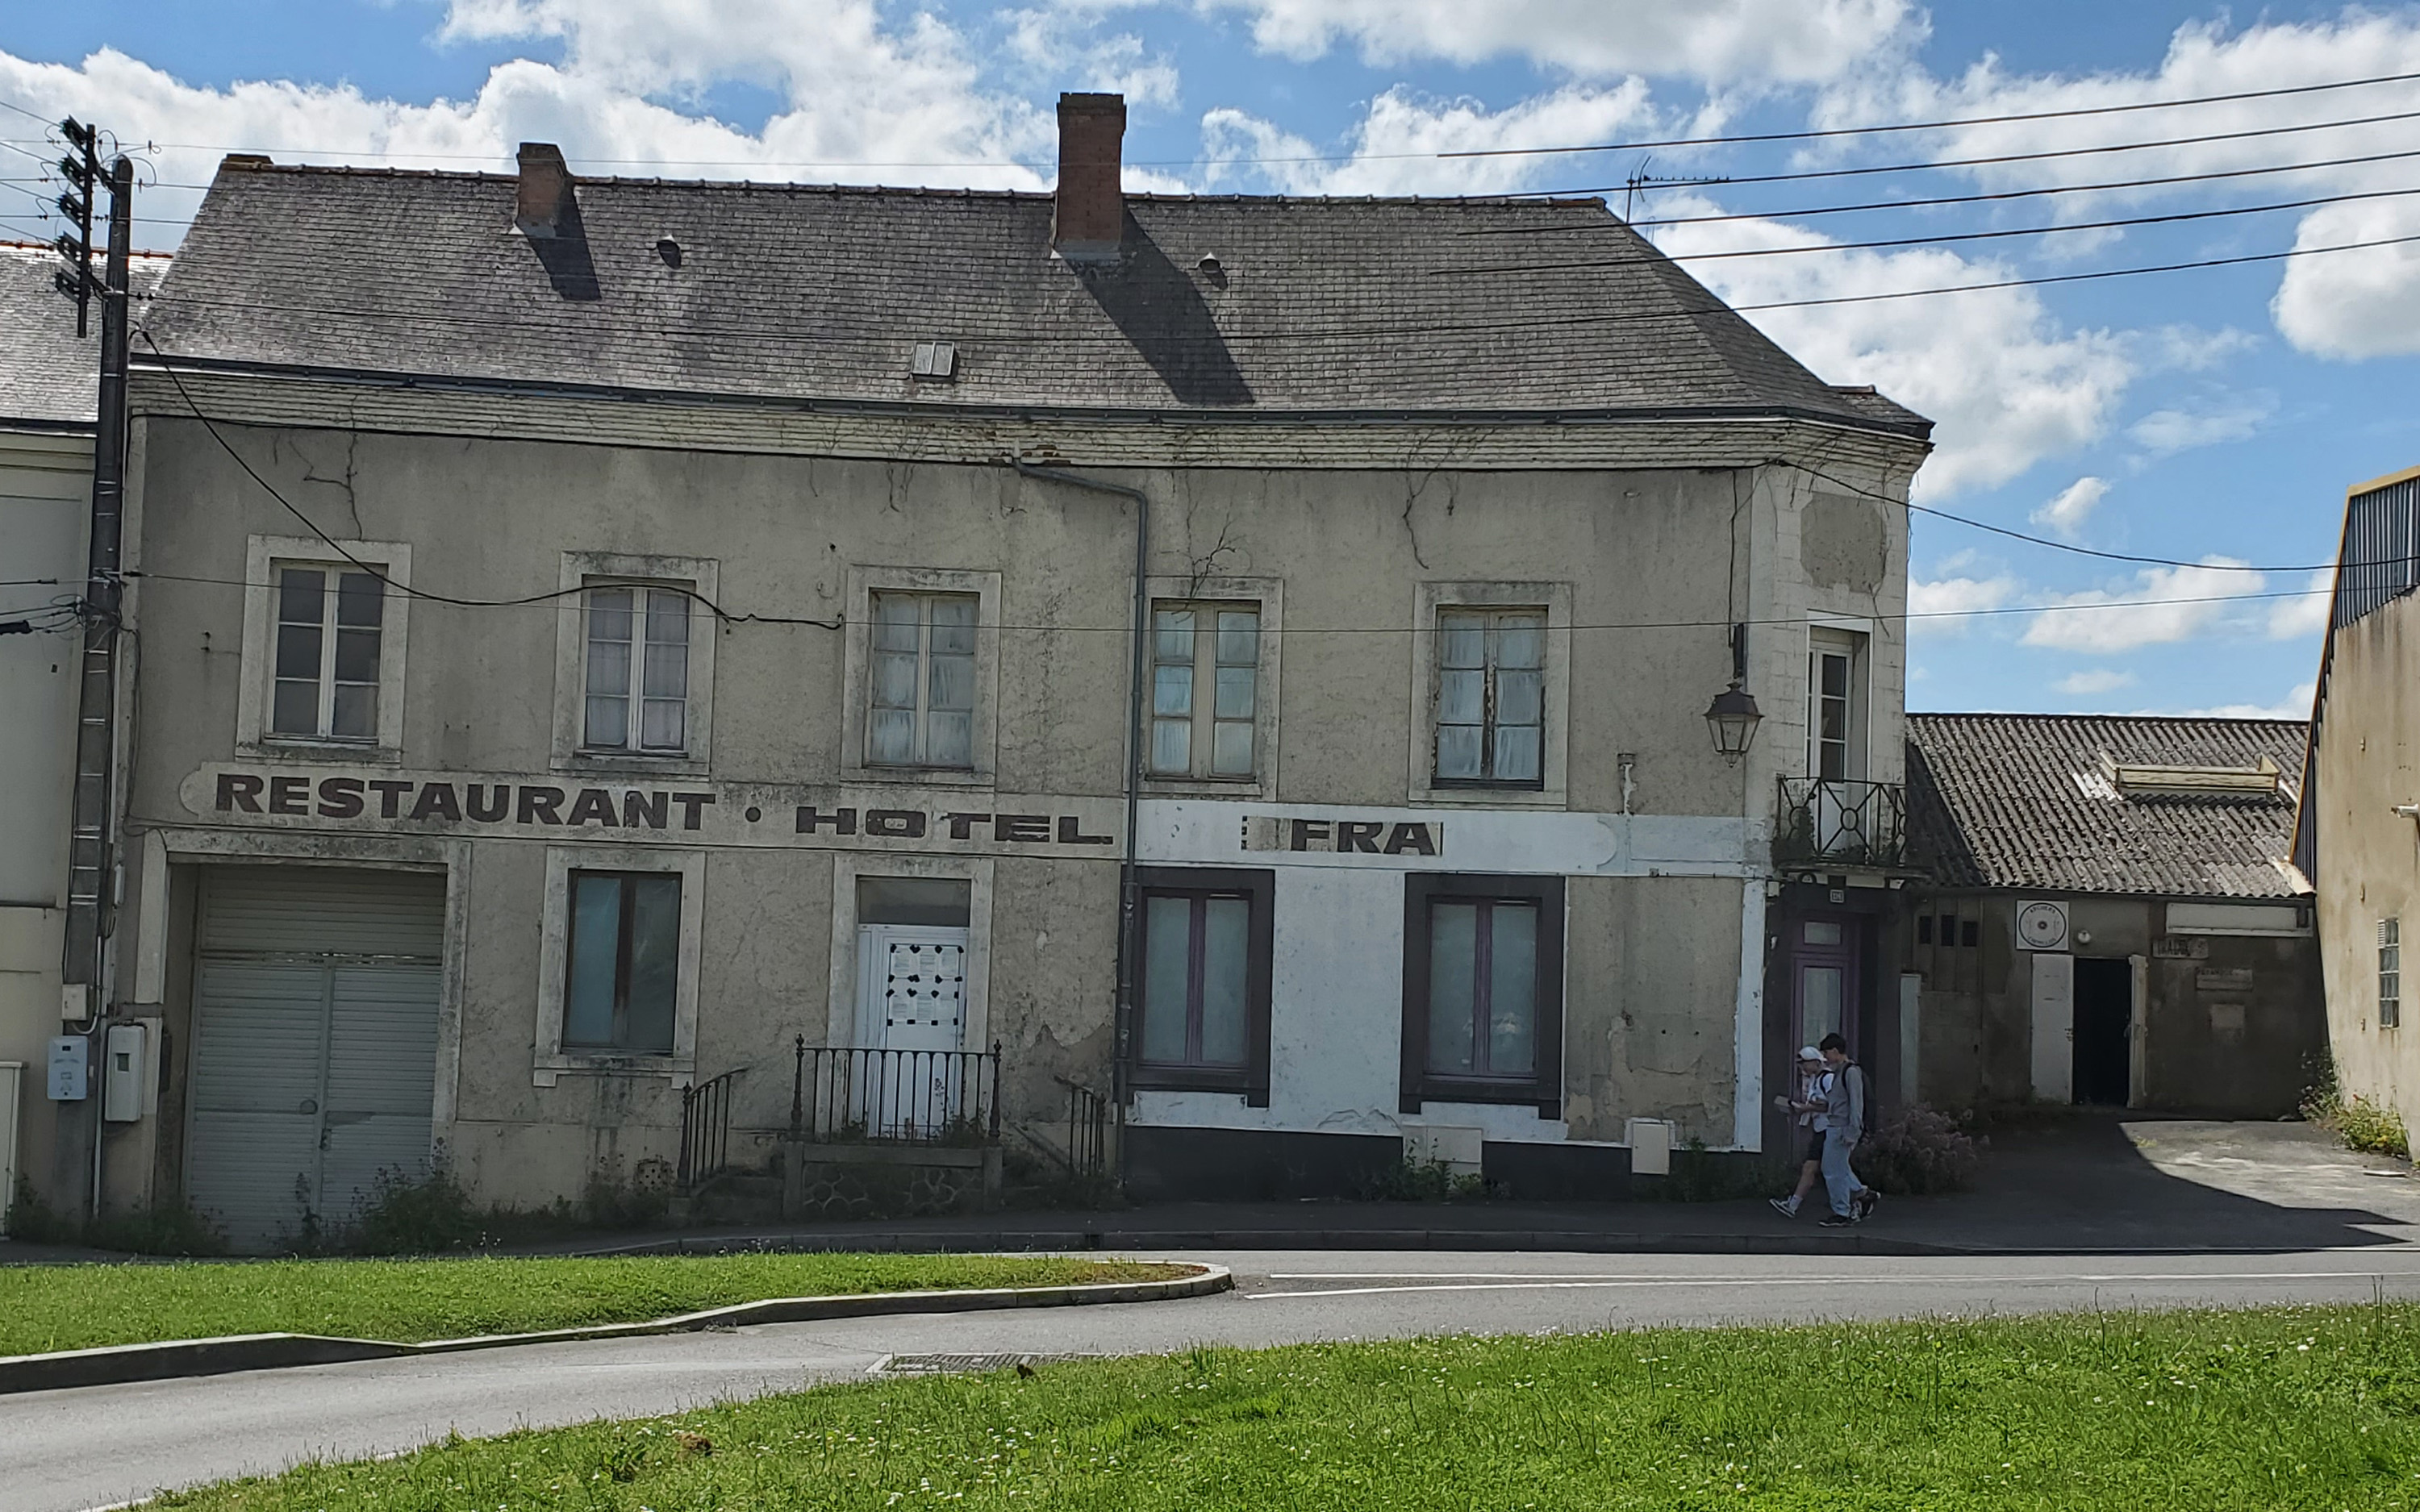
x=1647, y=555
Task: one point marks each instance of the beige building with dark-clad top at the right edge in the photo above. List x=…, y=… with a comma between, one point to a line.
x=2358, y=838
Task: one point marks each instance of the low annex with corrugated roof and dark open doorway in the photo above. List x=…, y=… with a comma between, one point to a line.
x=2109, y=916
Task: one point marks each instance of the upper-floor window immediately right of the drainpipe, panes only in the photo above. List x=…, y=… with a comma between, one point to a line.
x=1206, y=671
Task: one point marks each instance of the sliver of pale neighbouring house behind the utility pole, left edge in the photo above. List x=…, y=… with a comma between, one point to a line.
x=47, y=398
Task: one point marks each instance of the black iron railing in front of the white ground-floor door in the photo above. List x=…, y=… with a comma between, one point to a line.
x=916, y=1097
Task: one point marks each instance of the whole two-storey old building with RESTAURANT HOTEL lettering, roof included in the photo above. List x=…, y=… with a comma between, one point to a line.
x=606, y=633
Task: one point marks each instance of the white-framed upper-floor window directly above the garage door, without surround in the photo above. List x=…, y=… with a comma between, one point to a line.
x=325, y=652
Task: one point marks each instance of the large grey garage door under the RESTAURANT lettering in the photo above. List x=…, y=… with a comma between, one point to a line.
x=316, y=1039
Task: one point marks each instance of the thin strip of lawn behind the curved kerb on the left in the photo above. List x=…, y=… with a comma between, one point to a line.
x=74, y=1308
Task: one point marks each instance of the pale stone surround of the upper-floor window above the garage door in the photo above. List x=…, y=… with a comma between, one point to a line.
x=258, y=681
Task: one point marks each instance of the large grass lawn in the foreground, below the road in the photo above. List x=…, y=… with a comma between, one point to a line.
x=2172, y=1412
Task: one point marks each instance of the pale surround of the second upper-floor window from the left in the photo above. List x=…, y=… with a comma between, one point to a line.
x=618, y=570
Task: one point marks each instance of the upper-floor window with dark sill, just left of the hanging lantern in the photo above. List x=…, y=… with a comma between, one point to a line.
x=1492, y=696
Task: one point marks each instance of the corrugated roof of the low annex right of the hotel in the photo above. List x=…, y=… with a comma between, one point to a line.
x=2022, y=802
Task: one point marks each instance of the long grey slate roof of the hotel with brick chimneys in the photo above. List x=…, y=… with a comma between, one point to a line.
x=780, y=292
